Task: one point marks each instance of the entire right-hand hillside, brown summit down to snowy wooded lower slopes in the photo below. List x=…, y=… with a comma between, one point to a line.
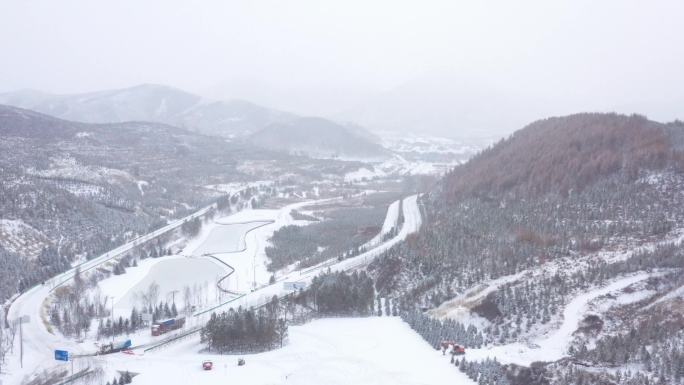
x=561, y=208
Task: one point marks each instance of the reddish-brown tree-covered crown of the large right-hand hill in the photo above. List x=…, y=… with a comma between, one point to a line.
x=564, y=154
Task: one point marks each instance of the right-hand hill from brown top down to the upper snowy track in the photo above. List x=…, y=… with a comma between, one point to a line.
x=573, y=184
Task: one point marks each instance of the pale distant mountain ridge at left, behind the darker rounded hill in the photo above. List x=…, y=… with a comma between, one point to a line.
x=152, y=103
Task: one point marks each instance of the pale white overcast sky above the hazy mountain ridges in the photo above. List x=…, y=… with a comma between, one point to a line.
x=351, y=58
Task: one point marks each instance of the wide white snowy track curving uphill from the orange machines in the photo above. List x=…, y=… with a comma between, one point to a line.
x=553, y=346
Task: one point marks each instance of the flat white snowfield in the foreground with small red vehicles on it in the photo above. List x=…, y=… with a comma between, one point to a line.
x=373, y=351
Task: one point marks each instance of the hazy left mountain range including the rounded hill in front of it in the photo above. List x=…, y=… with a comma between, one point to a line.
x=263, y=127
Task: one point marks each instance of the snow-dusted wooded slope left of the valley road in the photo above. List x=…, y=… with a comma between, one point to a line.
x=72, y=189
